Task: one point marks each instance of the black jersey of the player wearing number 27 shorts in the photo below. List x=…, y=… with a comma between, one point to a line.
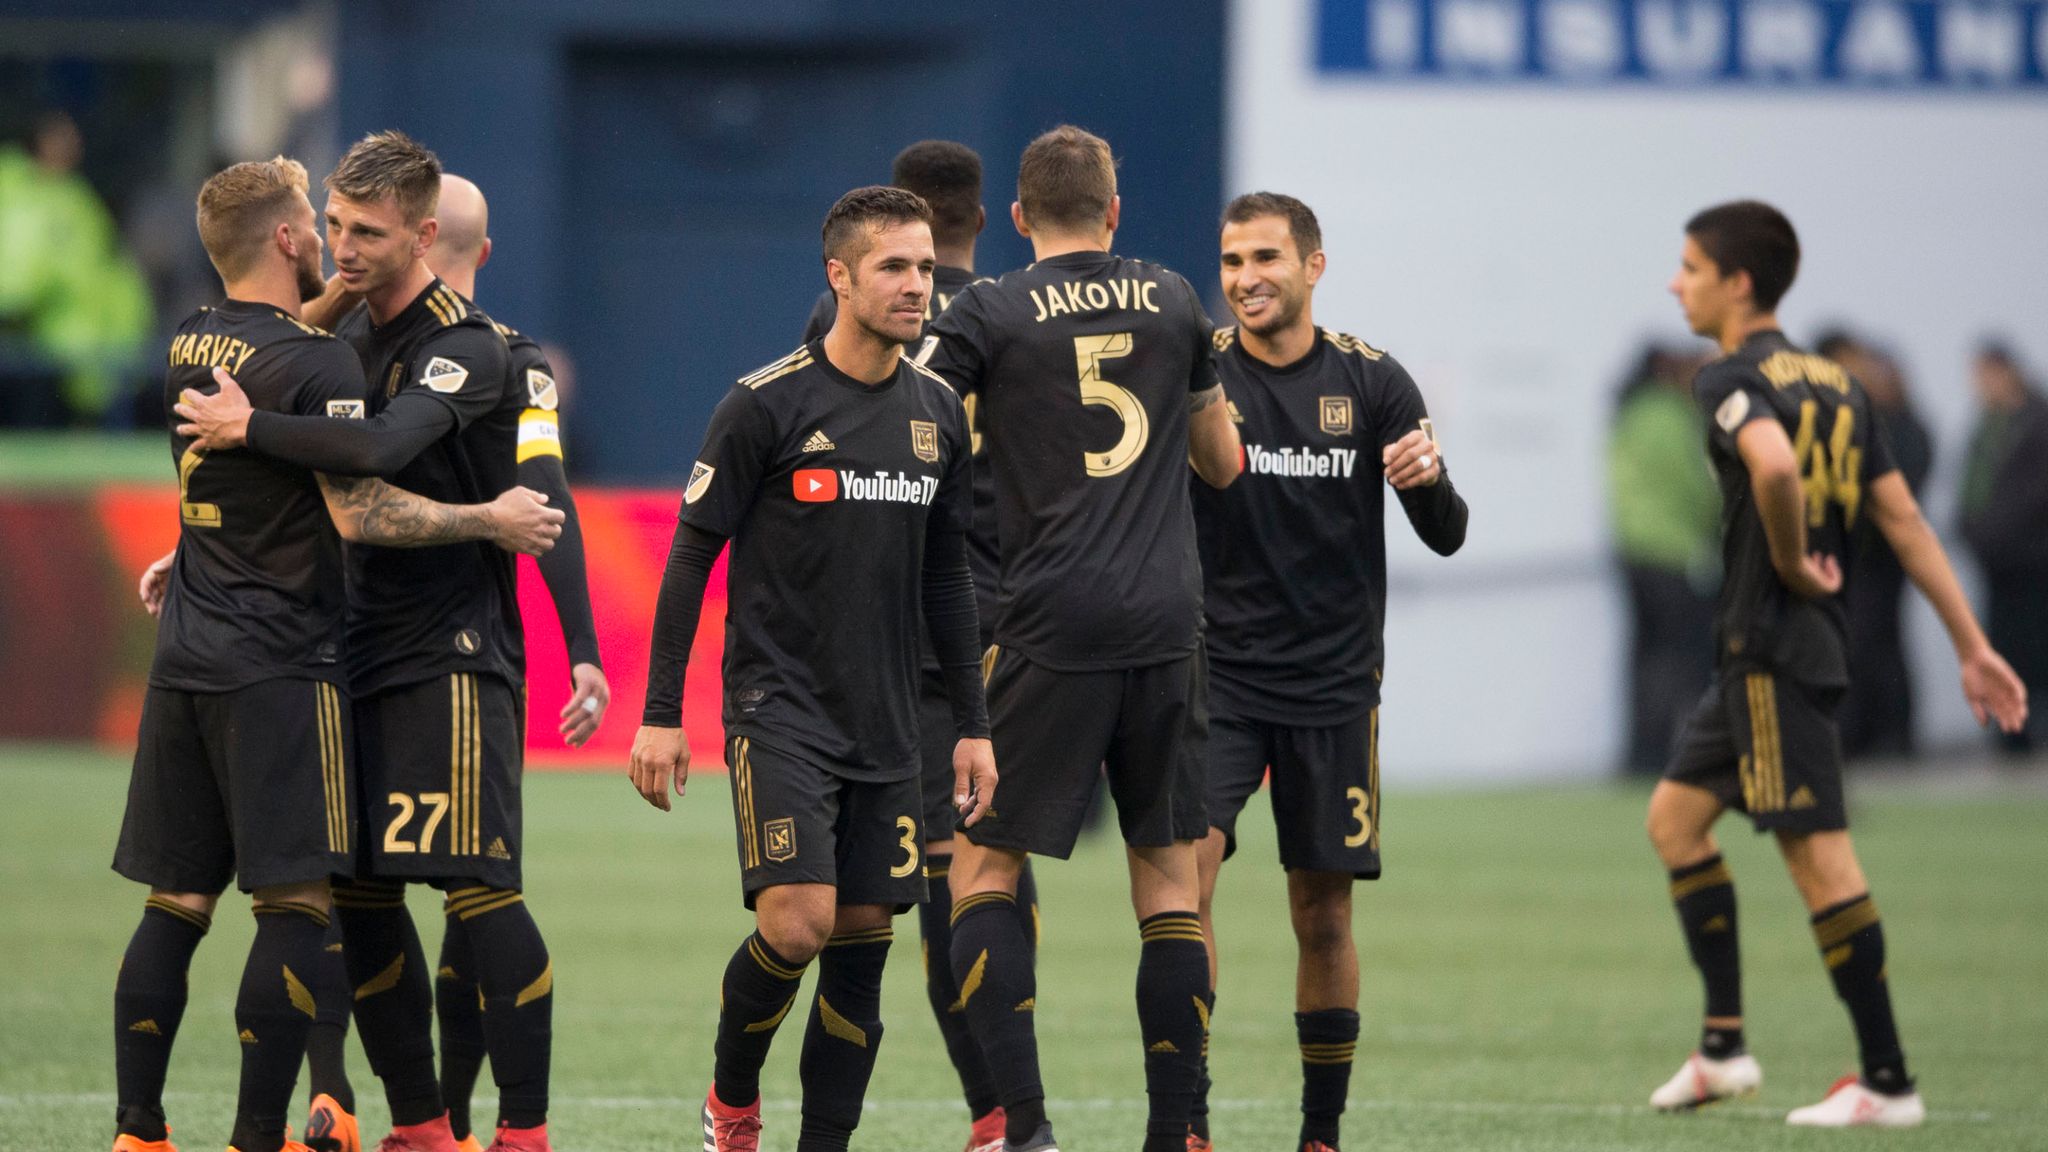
x=417, y=614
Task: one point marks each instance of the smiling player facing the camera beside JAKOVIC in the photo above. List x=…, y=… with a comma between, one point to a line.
x=1295, y=598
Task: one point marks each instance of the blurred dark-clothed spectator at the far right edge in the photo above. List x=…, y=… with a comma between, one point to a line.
x=2006, y=522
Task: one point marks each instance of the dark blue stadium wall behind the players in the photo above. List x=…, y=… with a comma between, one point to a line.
x=658, y=171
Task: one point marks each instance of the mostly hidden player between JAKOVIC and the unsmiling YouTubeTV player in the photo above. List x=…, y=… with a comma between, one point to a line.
x=949, y=179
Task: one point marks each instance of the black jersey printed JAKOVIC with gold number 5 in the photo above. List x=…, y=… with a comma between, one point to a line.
x=1082, y=368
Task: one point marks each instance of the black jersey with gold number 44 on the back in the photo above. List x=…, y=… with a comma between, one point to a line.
x=1840, y=452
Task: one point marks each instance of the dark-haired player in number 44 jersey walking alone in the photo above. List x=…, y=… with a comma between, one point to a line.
x=1799, y=458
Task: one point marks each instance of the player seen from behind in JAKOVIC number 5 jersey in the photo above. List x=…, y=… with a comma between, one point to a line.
x=1097, y=384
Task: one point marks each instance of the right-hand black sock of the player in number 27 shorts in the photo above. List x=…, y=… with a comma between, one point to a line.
x=519, y=999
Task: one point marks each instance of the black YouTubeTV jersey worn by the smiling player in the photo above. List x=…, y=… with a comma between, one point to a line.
x=1295, y=552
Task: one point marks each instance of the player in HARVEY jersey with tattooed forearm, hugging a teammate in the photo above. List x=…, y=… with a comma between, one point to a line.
x=243, y=764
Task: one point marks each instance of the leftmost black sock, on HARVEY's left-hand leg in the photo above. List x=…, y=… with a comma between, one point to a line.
x=148, y=1007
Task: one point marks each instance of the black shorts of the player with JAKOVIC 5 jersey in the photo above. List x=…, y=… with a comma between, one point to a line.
x=1060, y=733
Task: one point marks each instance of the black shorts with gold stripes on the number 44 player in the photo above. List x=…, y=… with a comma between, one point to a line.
x=1768, y=747
